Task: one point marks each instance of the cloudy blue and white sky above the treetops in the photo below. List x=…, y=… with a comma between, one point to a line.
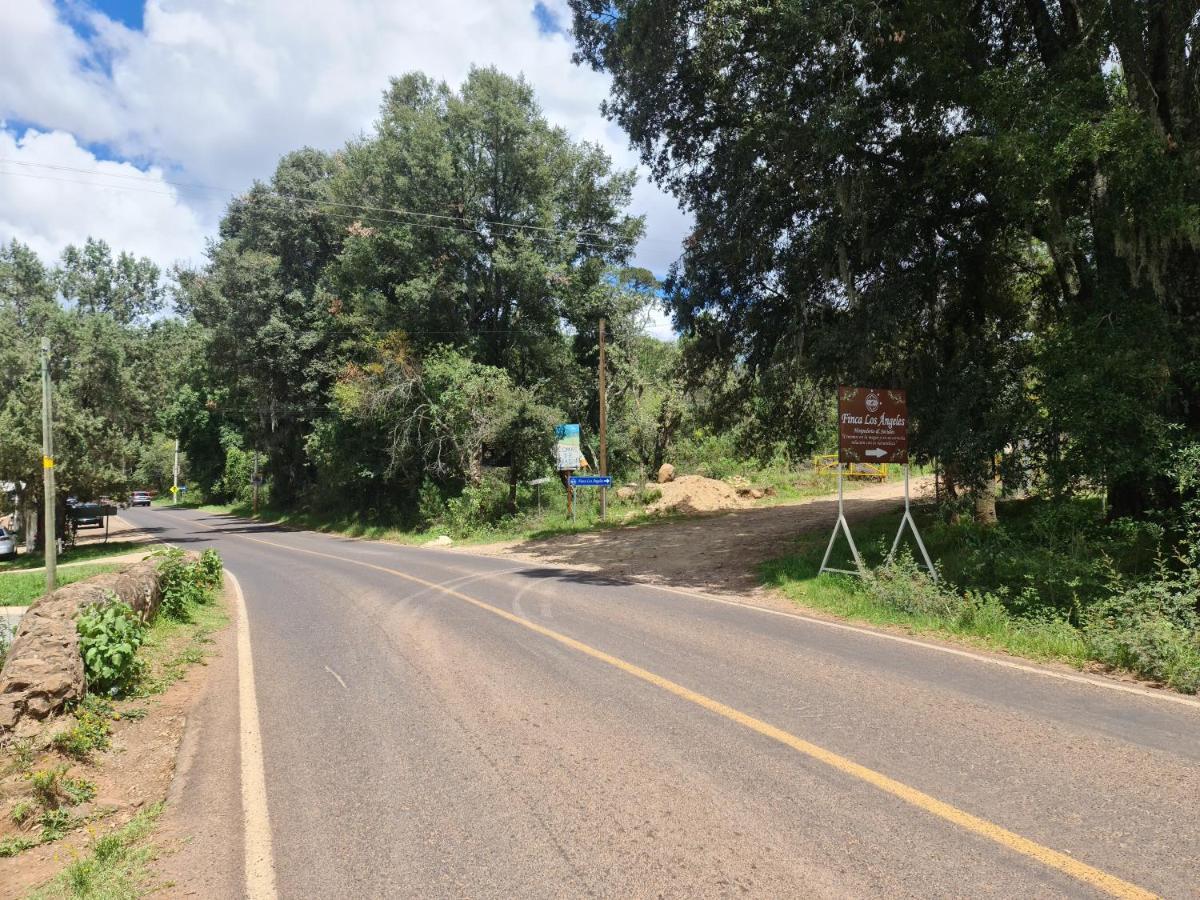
x=176, y=105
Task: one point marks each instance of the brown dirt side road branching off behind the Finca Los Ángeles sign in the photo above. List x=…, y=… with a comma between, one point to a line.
x=718, y=553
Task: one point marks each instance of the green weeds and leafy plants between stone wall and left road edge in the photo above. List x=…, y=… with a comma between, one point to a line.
x=49, y=782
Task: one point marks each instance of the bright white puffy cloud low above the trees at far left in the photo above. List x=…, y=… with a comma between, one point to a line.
x=46, y=207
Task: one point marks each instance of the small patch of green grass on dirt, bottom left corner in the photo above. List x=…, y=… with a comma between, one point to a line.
x=117, y=865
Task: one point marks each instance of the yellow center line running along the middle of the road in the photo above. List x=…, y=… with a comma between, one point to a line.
x=1052, y=859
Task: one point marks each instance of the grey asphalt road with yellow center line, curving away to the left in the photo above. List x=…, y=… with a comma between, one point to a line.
x=442, y=725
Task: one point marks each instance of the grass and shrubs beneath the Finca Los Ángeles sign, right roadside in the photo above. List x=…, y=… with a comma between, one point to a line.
x=1054, y=581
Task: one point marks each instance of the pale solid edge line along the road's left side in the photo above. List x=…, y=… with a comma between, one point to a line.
x=260, y=861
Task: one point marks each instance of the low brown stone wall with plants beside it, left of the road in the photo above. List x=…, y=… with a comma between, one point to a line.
x=45, y=670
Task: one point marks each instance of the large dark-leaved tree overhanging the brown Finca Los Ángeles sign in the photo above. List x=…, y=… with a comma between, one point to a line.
x=915, y=193
